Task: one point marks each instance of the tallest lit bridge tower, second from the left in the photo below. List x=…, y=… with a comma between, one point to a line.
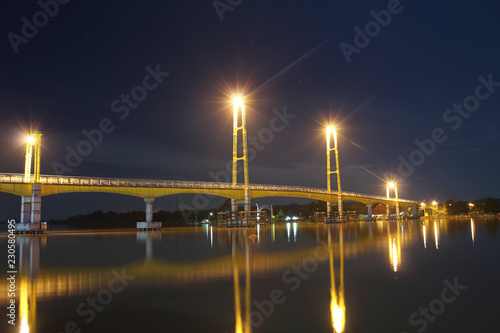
x=238, y=104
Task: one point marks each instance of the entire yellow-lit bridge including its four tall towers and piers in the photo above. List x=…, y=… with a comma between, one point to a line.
x=32, y=187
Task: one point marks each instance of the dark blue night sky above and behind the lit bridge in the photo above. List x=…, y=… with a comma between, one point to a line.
x=151, y=83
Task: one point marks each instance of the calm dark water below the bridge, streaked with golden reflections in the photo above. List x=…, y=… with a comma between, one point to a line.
x=411, y=276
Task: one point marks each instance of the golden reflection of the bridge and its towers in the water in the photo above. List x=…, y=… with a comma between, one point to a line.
x=244, y=256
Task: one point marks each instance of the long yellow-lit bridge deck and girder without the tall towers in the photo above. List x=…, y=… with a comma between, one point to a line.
x=149, y=189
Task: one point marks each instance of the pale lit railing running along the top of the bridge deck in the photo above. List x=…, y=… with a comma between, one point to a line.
x=123, y=182
